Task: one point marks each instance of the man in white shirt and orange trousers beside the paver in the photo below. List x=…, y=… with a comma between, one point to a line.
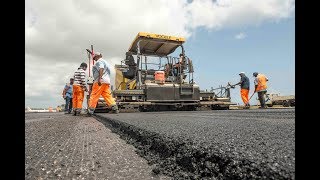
x=101, y=84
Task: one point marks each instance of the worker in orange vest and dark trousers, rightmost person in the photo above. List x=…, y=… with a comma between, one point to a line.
x=260, y=84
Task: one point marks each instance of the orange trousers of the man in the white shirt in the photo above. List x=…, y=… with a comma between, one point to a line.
x=97, y=91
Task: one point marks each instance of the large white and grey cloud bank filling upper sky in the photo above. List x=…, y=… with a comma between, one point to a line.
x=58, y=34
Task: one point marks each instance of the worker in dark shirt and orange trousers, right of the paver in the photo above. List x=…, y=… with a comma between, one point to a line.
x=244, y=89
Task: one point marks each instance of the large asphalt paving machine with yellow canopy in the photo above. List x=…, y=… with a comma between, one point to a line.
x=150, y=79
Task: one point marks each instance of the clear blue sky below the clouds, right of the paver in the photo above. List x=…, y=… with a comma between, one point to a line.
x=268, y=48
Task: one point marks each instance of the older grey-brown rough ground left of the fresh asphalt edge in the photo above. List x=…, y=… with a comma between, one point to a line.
x=59, y=146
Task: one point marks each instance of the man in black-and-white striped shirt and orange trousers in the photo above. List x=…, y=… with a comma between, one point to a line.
x=79, y=86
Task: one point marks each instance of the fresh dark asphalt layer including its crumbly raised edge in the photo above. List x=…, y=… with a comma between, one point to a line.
x=220, y=144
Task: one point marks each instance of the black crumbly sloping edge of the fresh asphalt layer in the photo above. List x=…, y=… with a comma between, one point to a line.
x=181, y=159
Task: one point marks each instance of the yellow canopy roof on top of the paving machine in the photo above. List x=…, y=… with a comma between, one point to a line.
x=155, y=44
